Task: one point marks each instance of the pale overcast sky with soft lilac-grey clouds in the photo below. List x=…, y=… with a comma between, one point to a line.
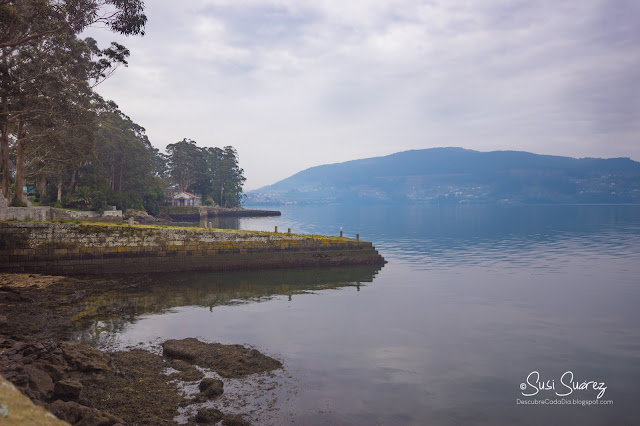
x=293, y=84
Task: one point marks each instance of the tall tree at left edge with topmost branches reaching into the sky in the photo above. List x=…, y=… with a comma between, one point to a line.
x=31, y=29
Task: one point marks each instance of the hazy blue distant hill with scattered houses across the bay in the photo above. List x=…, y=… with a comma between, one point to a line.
x=457, y=175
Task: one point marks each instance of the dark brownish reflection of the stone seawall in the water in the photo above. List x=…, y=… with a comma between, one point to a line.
x=112, y=311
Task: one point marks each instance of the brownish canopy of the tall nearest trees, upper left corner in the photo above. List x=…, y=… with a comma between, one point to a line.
x=47, y=72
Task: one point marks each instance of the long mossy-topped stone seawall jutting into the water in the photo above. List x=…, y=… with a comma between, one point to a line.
x=56, y=248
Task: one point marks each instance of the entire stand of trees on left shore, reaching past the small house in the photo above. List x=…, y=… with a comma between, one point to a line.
x=79, y=149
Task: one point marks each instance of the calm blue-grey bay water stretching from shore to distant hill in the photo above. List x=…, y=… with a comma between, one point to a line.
x=473, y=299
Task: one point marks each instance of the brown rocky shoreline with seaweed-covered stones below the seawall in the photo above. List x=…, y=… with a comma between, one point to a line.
x=83, y=385
